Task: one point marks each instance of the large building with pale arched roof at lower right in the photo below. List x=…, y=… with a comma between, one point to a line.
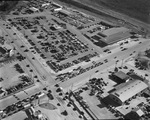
x=125, y=91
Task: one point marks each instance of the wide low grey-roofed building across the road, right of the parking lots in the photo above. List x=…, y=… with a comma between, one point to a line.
x=115, y=34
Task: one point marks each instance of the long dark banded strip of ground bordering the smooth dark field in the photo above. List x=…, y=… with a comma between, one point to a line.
x=110, y=15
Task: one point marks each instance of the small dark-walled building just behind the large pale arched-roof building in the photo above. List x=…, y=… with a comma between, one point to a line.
x=120, y=77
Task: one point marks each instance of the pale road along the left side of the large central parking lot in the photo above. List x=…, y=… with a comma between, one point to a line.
x=35, y=63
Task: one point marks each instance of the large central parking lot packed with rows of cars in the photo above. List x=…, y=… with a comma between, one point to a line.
x=57, y=45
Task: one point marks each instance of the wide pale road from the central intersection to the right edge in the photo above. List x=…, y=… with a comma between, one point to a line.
x=121, y=55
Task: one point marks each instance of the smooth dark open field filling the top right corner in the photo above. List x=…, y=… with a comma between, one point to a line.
x=138, y=9
